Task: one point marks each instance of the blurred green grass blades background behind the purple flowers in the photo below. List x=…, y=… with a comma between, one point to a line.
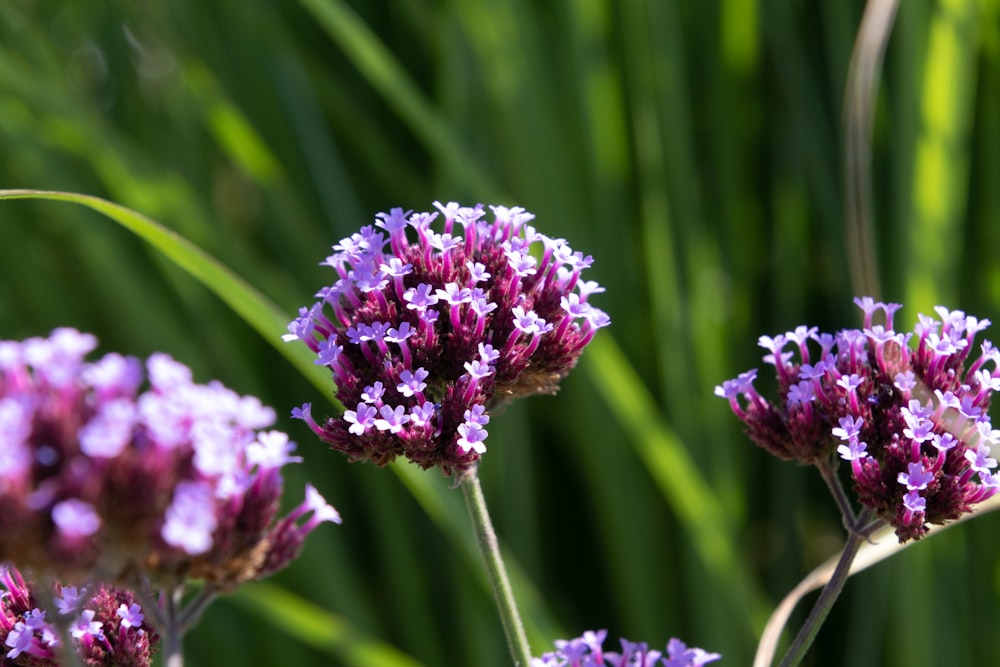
x=693, y=148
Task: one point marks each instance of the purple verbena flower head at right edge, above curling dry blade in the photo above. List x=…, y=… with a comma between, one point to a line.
x=908, y=411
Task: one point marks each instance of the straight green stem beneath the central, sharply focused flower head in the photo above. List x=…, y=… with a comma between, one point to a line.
x=513, y=628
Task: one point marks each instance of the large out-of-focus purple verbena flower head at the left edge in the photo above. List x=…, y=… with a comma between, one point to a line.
x=100, y=480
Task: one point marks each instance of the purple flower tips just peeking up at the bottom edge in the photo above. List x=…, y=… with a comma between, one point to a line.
x=587, y=651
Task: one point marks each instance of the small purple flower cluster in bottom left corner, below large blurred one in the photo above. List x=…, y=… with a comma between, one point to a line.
x=107, y=627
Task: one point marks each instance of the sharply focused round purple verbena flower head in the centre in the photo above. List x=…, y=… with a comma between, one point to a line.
x=426, y=332
